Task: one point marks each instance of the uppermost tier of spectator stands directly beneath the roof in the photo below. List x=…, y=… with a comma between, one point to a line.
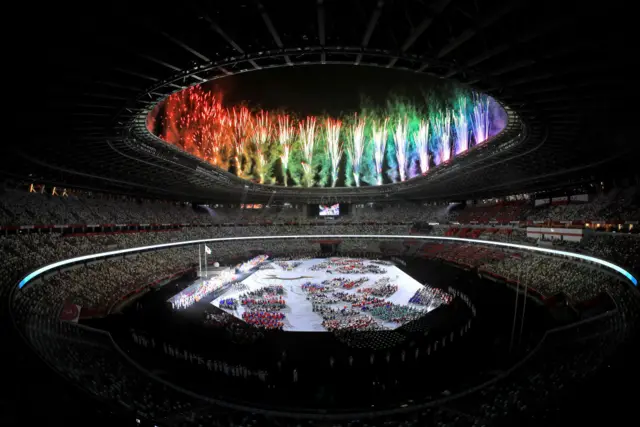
x=39, y=205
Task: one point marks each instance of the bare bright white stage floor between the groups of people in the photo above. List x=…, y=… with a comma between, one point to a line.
x=299, y=314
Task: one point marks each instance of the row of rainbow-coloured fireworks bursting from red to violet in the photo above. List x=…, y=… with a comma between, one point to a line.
x=390, y=145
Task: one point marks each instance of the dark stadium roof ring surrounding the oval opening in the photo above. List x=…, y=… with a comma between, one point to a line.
x=563, y=74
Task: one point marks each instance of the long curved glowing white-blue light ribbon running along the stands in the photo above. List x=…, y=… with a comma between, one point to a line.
x=31, y=276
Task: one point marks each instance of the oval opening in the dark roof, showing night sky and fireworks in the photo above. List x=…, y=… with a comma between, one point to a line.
x=327, y=126
